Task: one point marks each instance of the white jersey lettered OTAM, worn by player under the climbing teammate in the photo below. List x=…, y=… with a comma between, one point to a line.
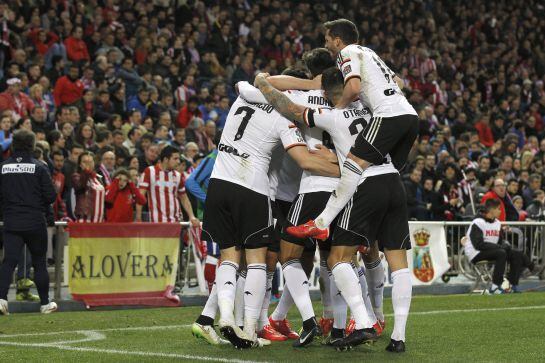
x=344, y=126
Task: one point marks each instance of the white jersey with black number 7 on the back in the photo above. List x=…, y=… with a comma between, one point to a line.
x=251, y=132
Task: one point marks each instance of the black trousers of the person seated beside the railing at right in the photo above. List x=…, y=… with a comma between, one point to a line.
x=501, y=256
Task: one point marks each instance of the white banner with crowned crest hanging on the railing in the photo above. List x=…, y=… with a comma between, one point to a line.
x=428, y=258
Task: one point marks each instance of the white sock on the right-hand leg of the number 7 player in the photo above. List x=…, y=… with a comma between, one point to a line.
x=254, y=291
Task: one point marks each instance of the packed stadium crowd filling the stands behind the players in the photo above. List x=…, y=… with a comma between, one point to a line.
x=106, y=85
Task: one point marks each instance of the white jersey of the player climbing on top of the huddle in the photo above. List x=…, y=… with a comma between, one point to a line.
x=378, y=87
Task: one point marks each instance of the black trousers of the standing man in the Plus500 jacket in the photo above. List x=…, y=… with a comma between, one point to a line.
x=14, y=241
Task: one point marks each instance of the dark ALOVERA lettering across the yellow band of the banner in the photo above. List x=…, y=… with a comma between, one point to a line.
x=121, y=266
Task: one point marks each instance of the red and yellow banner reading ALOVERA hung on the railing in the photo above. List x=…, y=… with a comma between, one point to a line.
x=123, y=263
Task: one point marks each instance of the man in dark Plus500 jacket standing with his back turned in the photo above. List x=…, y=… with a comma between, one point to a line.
x=27, y=192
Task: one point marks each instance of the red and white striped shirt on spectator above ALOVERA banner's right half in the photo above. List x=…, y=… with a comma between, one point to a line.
x=163, y=189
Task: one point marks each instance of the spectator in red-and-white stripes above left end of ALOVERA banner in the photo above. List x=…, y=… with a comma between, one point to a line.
x=89, y=191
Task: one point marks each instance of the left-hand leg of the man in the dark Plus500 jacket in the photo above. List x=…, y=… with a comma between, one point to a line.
x=13, y=245
